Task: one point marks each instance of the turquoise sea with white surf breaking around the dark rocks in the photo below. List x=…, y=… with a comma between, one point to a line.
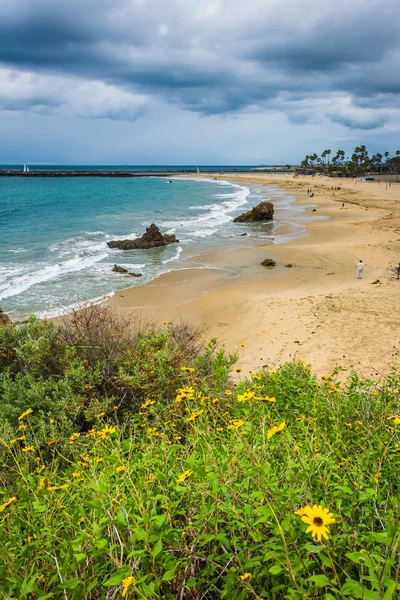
x=54, y=232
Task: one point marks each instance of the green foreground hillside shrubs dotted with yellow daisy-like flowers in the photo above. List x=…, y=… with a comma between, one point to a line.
x=138, y=463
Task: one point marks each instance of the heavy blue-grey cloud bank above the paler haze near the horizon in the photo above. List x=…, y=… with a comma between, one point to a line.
x=210, y=56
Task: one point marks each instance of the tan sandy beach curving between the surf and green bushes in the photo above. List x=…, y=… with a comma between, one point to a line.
x=317, y=311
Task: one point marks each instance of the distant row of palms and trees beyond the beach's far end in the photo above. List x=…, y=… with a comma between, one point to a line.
x=359, y=163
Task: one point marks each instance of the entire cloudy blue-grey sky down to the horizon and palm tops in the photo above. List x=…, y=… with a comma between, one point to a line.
x=196, y=82
